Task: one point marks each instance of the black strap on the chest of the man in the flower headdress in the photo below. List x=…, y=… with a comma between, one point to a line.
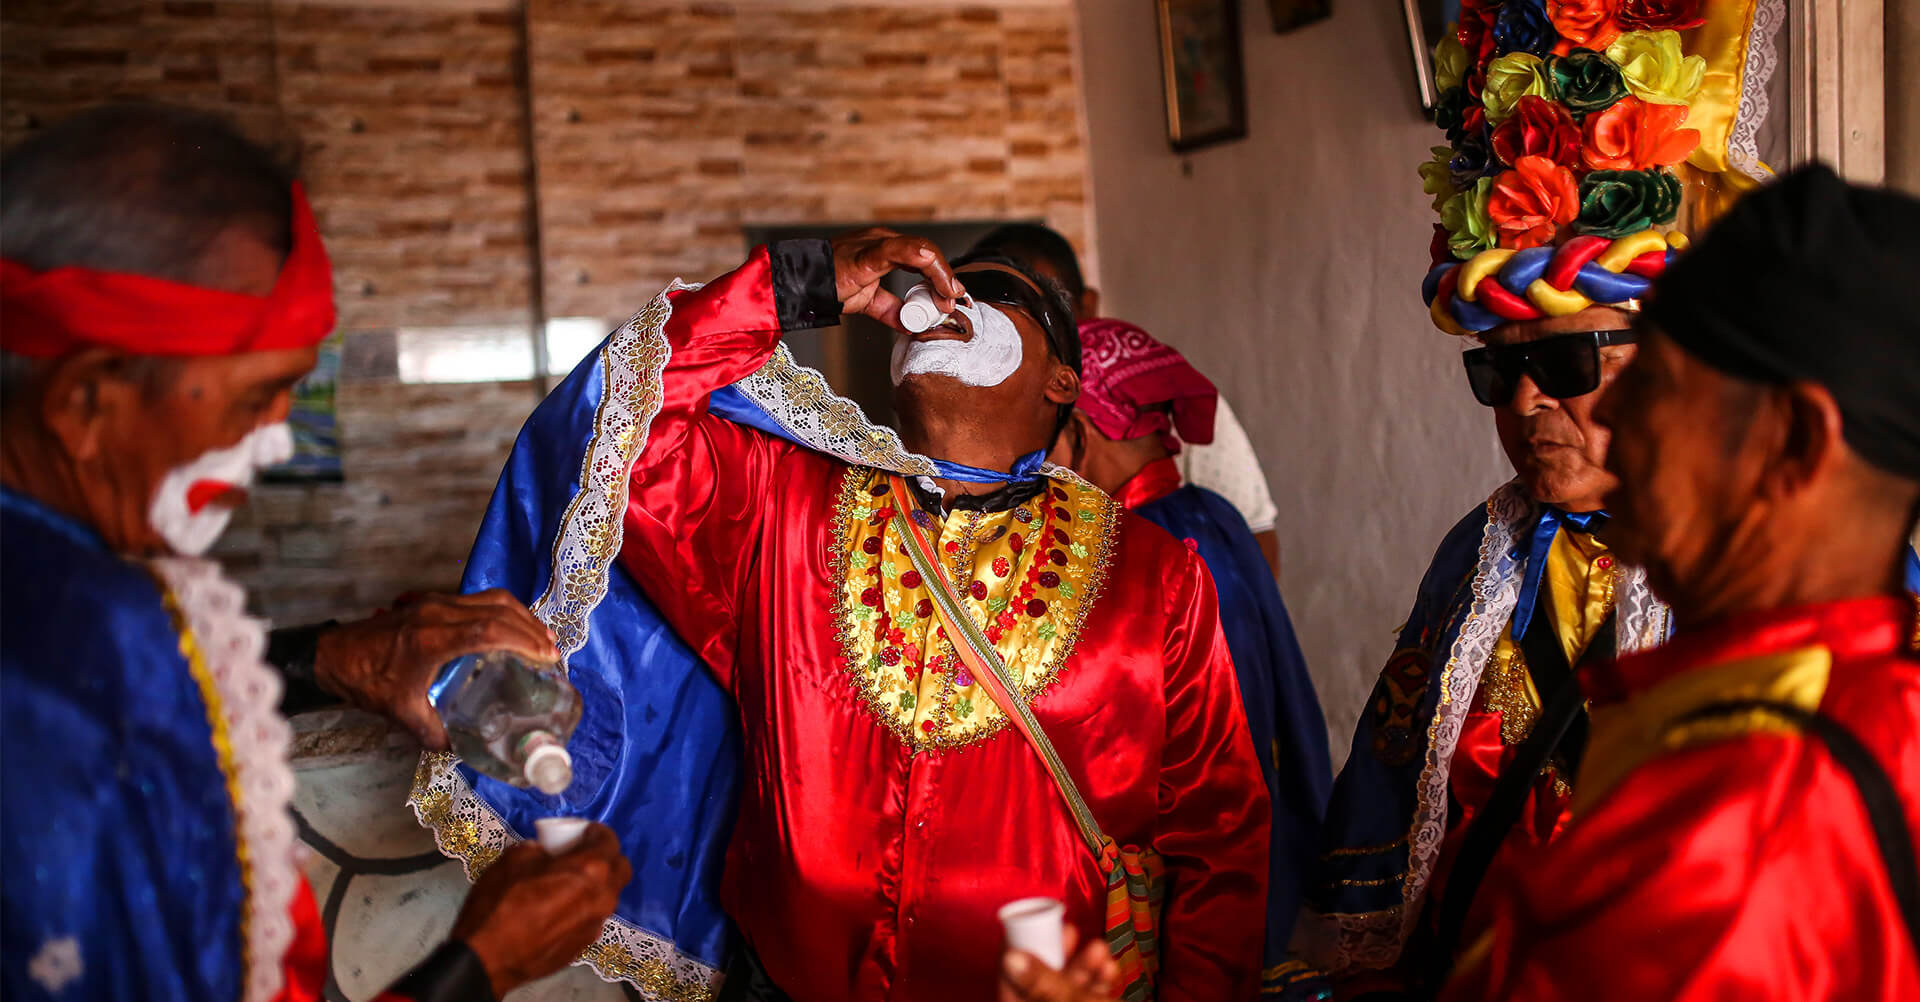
x=1562, y=723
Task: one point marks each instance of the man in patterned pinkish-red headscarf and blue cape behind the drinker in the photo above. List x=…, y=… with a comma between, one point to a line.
x=1140, y=406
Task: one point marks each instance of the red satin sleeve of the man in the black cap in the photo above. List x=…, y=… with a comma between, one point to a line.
x=1727, y=872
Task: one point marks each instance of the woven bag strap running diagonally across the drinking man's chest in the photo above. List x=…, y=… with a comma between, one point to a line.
x=988, y=669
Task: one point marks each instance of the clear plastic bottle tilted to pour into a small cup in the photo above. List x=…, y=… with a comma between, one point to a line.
x=510, y=719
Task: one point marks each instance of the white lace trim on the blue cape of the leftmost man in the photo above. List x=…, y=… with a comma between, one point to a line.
x=258, y=773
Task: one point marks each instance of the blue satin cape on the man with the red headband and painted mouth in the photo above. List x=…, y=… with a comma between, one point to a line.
x=116, y=830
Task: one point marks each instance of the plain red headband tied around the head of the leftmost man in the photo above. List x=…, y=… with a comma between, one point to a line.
x=57, y=312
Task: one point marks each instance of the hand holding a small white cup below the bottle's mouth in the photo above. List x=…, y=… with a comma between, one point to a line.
x=533, y=913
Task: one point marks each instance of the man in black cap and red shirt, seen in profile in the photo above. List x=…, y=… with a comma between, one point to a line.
x=1742, y=824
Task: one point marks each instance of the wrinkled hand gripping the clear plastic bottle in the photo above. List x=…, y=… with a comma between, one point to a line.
x=387, y=663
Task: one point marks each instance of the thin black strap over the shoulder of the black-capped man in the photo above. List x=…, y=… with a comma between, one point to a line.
x=1884, y=811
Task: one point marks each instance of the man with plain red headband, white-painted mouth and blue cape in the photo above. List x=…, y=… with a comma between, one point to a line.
x=164, y=289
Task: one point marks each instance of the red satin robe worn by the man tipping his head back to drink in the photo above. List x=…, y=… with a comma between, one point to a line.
x=863, y=869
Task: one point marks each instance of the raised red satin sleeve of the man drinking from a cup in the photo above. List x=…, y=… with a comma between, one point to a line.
x=696, y=502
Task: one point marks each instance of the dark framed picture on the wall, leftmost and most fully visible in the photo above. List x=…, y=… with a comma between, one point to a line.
x=1203, y=72
